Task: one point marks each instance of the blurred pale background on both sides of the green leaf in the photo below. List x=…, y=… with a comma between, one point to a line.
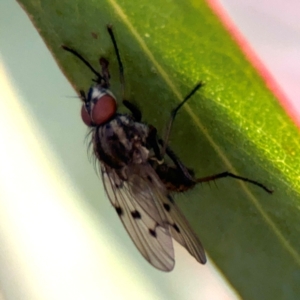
x=59, y=236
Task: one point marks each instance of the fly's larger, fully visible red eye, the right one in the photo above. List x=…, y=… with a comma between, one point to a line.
x=103, y=110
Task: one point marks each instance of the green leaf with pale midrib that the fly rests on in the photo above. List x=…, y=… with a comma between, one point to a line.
x=234, y=123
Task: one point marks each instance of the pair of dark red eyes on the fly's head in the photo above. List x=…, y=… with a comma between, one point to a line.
x=101, y=111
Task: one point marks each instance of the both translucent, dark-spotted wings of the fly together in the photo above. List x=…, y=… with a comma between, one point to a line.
x=150, y=215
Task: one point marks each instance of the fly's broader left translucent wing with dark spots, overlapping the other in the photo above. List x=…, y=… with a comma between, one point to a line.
x=137, y=202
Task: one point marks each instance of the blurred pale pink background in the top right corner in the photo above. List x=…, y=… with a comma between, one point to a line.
x=272, y=30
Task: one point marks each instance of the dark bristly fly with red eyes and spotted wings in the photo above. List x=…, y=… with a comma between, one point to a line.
x=137, y=180
